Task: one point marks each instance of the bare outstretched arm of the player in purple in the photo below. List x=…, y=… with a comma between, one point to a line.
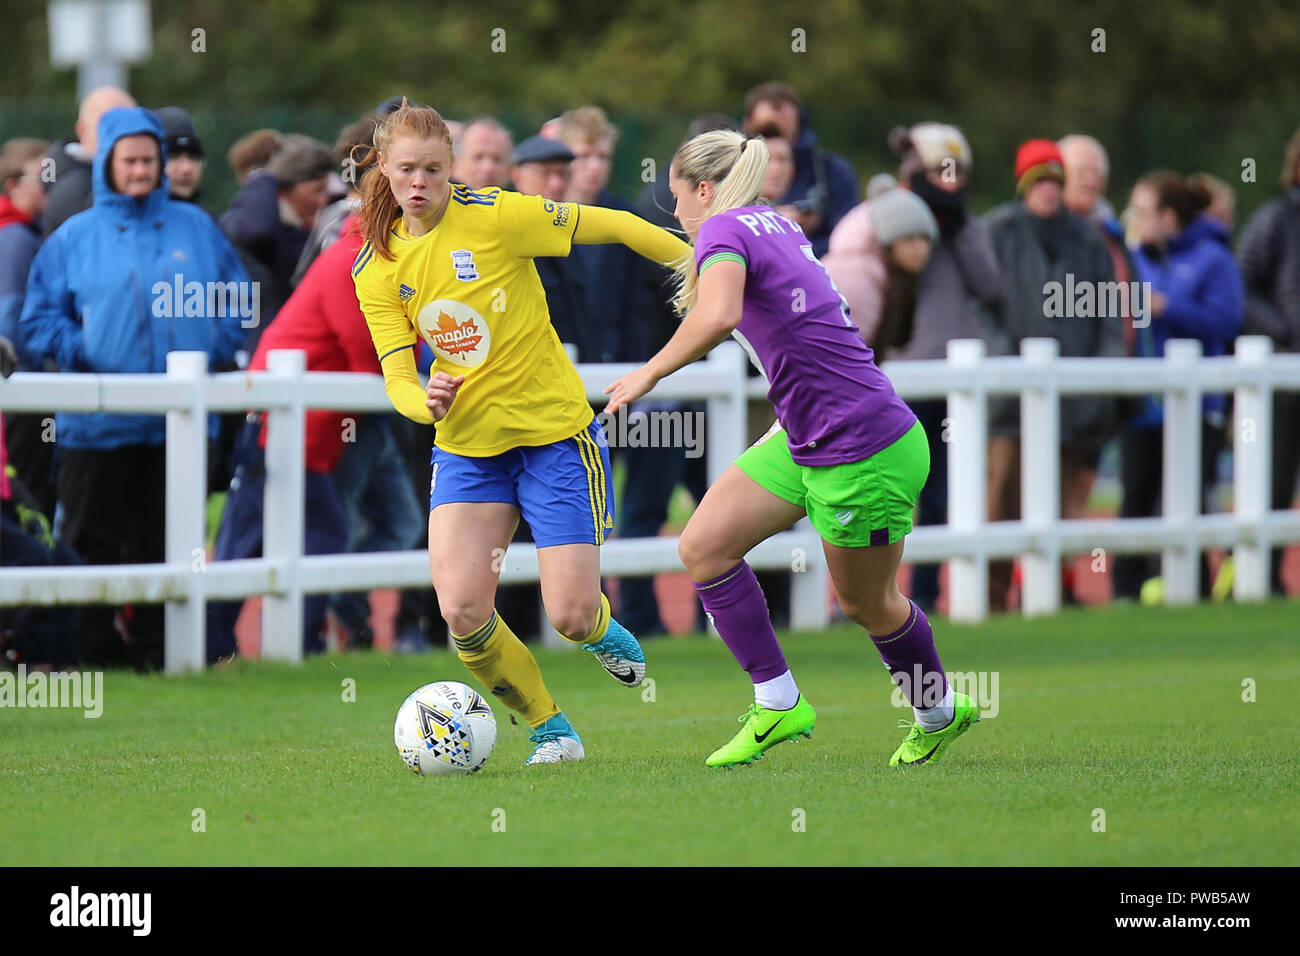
x=717, y=314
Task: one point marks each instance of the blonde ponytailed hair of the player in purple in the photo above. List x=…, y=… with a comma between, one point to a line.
x=736, y=166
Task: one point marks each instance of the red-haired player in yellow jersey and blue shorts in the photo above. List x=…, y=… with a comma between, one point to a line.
x=515, y=434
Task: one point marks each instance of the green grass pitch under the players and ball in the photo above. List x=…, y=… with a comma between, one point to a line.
x=1138, y=713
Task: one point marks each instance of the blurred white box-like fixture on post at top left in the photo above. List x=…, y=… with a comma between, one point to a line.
x=99, y=38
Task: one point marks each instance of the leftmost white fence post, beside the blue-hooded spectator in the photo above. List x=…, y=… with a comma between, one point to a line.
x=185, y=622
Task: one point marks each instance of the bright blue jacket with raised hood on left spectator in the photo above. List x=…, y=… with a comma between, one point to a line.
x=103, y=291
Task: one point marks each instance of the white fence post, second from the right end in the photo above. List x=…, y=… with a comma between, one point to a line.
x=1182, y=479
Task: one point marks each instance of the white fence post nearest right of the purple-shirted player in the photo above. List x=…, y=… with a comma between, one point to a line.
x=968, y=483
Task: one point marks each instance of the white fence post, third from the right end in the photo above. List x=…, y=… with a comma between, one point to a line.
x=1041, y=481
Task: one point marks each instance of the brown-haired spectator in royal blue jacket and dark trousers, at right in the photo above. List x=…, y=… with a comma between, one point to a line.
x=1197, y=292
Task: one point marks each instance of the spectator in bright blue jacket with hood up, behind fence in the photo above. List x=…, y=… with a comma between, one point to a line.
x=115, y=289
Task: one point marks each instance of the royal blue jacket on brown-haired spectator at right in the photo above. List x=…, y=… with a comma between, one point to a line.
x=1204, y=300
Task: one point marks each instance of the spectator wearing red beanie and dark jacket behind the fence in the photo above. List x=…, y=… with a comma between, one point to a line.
x=1041, y=244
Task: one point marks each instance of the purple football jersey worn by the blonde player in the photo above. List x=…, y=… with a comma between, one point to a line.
x=835, y=404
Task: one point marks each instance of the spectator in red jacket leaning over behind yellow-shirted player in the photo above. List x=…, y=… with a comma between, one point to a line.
x=323, y=319
